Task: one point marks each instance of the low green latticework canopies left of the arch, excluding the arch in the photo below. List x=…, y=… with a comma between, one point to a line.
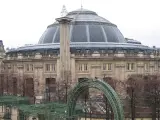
x=45, y=111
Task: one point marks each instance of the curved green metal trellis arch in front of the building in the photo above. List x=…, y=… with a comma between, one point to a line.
x=107, y=90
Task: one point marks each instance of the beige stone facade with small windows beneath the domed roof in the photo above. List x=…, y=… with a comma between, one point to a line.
x=90, y=66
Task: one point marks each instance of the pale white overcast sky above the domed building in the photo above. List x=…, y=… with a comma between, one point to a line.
x=24, y=21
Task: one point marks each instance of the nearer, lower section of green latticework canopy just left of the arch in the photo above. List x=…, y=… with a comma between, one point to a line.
x=47, y=111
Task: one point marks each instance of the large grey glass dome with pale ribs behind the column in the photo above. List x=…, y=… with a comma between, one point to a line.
x=86, y=26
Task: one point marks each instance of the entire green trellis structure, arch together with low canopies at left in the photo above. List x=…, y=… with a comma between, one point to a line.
x=60, y=111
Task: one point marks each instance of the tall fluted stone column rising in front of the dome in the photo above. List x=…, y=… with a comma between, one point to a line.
x=65, y=68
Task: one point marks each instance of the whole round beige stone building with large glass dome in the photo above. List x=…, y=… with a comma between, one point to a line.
x=97, y=49
